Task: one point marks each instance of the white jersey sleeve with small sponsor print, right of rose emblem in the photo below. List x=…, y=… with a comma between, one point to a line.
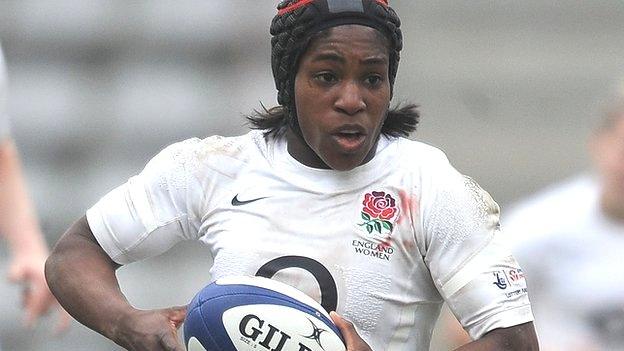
x=470, y=265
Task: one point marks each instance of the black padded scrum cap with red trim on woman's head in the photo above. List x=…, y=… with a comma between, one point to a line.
x=298, y=20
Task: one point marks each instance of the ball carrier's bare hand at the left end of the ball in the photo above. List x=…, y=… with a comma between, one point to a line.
x=151, y=330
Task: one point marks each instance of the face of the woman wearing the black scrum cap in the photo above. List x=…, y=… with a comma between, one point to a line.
x=342, y=94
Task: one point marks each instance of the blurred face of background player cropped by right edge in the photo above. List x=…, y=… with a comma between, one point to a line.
x=608, y=152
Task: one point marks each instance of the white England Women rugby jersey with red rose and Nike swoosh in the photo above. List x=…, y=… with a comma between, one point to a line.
x=384, y=244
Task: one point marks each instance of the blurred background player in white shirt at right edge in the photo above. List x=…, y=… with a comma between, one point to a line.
x=569, y=238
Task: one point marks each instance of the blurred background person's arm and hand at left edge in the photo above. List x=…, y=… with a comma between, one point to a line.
x=19, y=226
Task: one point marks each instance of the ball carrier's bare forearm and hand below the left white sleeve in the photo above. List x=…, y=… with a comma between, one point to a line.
x=82, y=277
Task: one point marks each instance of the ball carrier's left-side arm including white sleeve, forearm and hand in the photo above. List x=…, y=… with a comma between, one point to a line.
x=142, y=218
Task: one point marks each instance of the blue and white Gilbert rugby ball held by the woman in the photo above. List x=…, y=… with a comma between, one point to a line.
x=241, y=313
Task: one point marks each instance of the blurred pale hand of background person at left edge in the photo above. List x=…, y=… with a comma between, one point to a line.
x=27, y=271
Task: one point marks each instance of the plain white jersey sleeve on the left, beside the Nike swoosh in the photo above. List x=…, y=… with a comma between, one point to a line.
x=153, y=210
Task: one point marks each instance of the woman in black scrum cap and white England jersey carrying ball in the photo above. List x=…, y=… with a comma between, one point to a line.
x=325, y=195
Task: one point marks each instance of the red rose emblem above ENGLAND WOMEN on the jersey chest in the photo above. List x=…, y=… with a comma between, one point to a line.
x=378, y=211
